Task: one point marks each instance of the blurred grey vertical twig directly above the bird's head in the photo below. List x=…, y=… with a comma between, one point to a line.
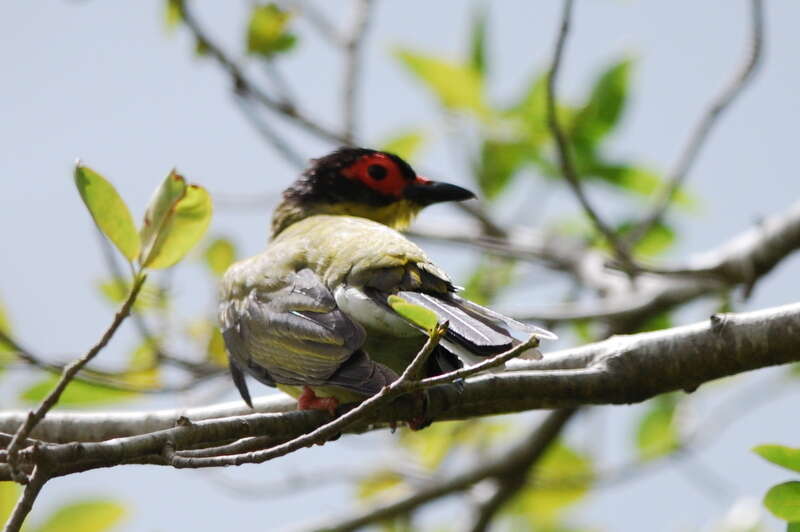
x=352, y=68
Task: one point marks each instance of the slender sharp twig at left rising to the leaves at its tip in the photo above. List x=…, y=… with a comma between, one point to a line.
x=66, y=377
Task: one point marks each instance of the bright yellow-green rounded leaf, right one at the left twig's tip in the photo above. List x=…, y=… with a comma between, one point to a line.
x=183, y=226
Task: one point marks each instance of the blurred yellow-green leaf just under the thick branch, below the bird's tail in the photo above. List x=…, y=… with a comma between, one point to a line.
x=435, y=443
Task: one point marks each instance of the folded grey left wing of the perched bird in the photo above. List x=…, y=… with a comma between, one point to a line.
x=296, y=335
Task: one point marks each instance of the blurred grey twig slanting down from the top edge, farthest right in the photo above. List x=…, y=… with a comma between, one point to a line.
x=706, y=124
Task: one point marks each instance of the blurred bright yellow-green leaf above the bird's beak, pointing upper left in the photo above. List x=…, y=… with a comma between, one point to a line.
x=456, y=85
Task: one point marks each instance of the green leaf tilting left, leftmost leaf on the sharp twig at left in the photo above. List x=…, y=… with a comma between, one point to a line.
x=108, y=210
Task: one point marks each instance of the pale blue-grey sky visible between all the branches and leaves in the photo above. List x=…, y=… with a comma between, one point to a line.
x=105, y=82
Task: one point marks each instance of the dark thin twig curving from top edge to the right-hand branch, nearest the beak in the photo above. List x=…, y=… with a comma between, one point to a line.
x=562, y=143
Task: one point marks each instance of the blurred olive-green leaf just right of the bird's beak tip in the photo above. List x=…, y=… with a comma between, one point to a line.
x=499, y=163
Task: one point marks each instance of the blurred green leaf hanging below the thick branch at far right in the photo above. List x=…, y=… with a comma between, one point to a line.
x=656, y=432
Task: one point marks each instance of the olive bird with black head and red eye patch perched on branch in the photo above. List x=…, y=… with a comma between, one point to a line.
x=310, y=313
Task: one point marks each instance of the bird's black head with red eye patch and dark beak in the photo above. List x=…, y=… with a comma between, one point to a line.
x=366, y=183
